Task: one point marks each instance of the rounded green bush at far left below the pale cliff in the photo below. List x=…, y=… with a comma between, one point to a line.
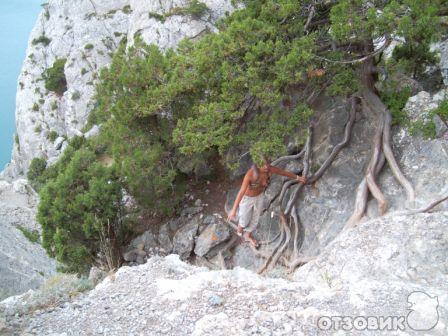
x=77, y=208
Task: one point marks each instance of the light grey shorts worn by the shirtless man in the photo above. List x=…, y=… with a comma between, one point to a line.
x=249, y=211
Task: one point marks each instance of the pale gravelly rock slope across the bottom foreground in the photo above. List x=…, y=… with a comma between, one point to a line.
x=373, y=270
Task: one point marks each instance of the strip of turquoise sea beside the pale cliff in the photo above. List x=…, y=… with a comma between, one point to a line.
x=17, y=18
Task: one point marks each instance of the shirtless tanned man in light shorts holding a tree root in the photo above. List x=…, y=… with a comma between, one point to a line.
x=249, y=200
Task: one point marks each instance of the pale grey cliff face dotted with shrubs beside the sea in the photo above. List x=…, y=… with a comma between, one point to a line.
x=86, y=33
